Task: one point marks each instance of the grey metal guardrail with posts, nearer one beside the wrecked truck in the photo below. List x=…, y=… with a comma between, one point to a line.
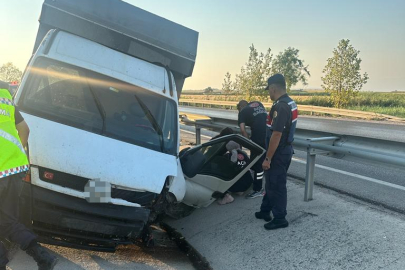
x=352, y=148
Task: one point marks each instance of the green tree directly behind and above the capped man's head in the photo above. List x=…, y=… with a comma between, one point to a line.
x=291, y=66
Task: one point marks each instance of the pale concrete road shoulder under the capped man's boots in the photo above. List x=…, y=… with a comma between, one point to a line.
x=333, y=231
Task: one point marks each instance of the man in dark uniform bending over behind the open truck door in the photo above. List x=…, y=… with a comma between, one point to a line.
x=254, y=115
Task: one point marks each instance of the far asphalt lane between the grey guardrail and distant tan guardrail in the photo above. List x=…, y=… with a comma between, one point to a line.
x=384, y=130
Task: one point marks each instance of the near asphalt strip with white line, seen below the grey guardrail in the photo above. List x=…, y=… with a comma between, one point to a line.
x=381, y=185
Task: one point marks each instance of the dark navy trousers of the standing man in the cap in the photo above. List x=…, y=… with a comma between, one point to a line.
x=275, y=199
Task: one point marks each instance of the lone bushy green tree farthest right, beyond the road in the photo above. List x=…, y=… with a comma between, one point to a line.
x=342, y=79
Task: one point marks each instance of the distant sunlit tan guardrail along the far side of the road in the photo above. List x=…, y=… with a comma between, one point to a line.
x=305, y=108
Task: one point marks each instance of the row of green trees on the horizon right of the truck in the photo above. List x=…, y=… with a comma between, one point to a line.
x=341, y=80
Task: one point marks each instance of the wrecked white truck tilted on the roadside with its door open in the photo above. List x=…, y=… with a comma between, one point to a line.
x=100, y=95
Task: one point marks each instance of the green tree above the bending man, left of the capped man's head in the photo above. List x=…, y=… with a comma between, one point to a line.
x=252, y=77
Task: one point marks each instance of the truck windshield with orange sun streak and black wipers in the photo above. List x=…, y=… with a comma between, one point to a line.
x=100, y=104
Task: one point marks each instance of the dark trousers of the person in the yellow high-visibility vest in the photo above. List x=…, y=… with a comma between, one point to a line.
x=10, y=228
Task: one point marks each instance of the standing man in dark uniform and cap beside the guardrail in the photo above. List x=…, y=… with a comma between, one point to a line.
x=280, y=135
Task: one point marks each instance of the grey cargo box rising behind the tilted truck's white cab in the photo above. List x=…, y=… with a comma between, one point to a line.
x=125, y=28
